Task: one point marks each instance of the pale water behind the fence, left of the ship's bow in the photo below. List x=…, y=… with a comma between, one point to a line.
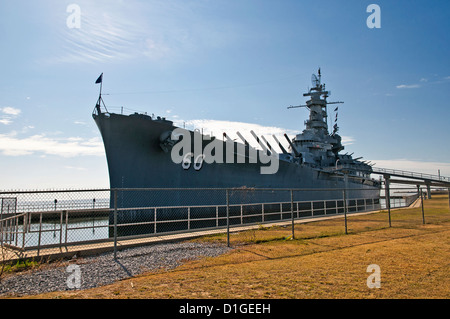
x=53, y=232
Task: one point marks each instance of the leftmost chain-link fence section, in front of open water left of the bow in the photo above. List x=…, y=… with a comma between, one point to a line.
x=51, y=219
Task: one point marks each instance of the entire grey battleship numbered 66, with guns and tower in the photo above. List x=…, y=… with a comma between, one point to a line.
x=144, y=151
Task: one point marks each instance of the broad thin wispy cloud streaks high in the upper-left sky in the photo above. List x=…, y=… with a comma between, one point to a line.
x=116, y=30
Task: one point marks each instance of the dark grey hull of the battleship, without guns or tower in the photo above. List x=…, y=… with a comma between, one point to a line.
x=136, y=160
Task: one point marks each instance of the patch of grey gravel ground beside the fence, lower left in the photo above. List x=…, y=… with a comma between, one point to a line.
x=90, y=272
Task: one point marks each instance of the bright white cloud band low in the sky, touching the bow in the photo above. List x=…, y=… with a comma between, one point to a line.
x=11, y=145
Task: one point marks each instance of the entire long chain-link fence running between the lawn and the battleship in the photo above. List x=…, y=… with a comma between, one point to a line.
x=52, y=222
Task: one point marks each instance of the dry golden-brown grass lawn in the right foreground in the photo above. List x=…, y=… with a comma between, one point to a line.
x=321, y=262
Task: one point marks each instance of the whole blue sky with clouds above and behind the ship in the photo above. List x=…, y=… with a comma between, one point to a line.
x=219, y=65
